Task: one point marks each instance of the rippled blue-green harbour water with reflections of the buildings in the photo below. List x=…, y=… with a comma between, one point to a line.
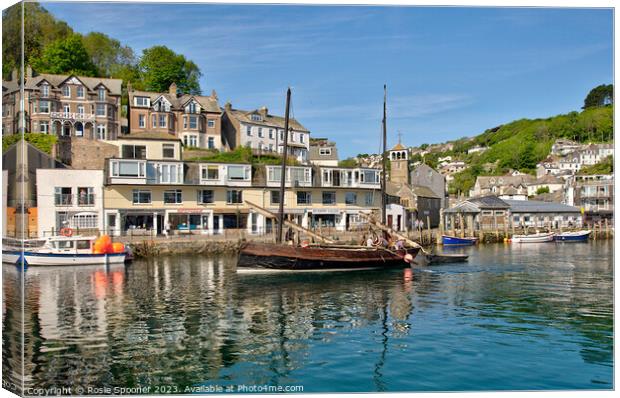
x=529, y=317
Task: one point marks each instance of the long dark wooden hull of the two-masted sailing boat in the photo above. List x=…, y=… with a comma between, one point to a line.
x=283, y=257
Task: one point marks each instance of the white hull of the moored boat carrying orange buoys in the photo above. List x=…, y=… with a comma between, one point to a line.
x=33, y=258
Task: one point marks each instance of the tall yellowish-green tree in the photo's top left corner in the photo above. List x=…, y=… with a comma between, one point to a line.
x=40, y=29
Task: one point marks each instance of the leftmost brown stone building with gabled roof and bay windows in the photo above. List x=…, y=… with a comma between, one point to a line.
x=65, y=105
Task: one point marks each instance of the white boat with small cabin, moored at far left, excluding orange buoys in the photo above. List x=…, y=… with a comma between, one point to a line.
x=59, y=250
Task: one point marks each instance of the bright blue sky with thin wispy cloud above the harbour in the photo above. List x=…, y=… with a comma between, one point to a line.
x=450, y=72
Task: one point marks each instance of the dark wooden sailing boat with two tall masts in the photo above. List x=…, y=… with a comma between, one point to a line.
x=326, y=256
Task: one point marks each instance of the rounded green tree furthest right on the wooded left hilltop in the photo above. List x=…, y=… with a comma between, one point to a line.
x=159, y=67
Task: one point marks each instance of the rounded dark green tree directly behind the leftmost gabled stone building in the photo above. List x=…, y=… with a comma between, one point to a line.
x=65, y=56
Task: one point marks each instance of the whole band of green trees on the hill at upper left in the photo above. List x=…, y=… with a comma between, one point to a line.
x=52, y=46
